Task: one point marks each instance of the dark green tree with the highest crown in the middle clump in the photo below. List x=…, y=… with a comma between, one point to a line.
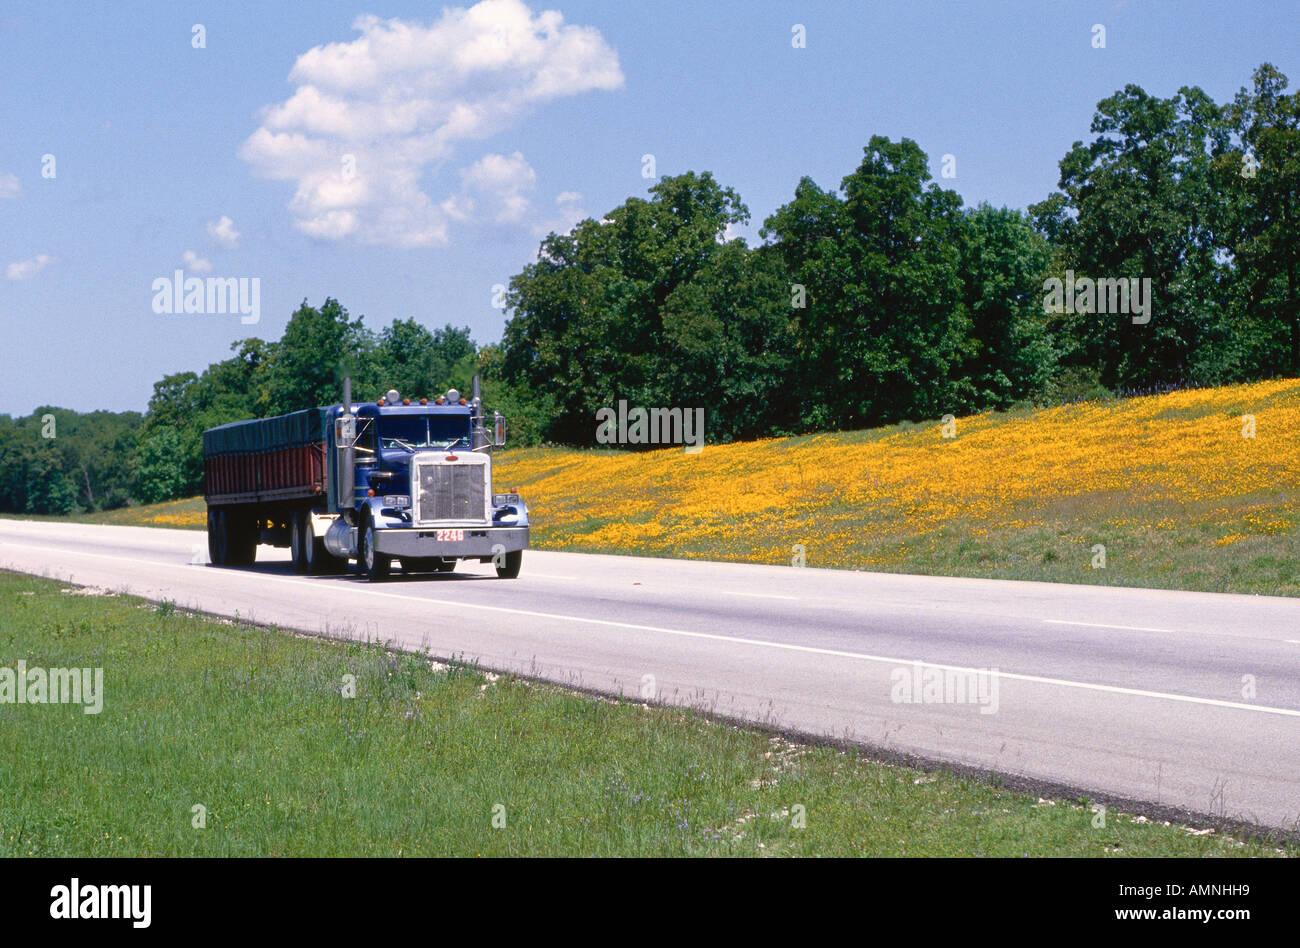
x=886, y=327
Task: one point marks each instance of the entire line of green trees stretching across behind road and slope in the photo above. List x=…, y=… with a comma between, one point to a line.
x=878, y=301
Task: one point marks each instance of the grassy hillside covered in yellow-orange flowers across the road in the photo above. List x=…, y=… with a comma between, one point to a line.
x=1168, y=484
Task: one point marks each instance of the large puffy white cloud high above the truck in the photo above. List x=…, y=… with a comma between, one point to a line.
x=372, y=116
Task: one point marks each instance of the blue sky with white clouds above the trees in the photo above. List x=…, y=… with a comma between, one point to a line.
x=473, y=132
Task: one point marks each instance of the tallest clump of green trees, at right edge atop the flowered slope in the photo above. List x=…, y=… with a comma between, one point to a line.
x=1167, y=191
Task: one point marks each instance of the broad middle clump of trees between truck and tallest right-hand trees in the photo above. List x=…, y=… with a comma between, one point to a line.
x=874, y=304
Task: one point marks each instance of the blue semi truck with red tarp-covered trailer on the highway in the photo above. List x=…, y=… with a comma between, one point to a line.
x=397, y=481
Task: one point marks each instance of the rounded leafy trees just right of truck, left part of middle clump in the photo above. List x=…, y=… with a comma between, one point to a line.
x=652, y=305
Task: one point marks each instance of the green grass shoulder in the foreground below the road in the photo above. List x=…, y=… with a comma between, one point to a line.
x=435, y=760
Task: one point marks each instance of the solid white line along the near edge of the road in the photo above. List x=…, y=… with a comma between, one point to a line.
x=735, y=640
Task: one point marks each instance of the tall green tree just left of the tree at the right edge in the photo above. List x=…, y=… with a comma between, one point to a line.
x=1138, y=204
